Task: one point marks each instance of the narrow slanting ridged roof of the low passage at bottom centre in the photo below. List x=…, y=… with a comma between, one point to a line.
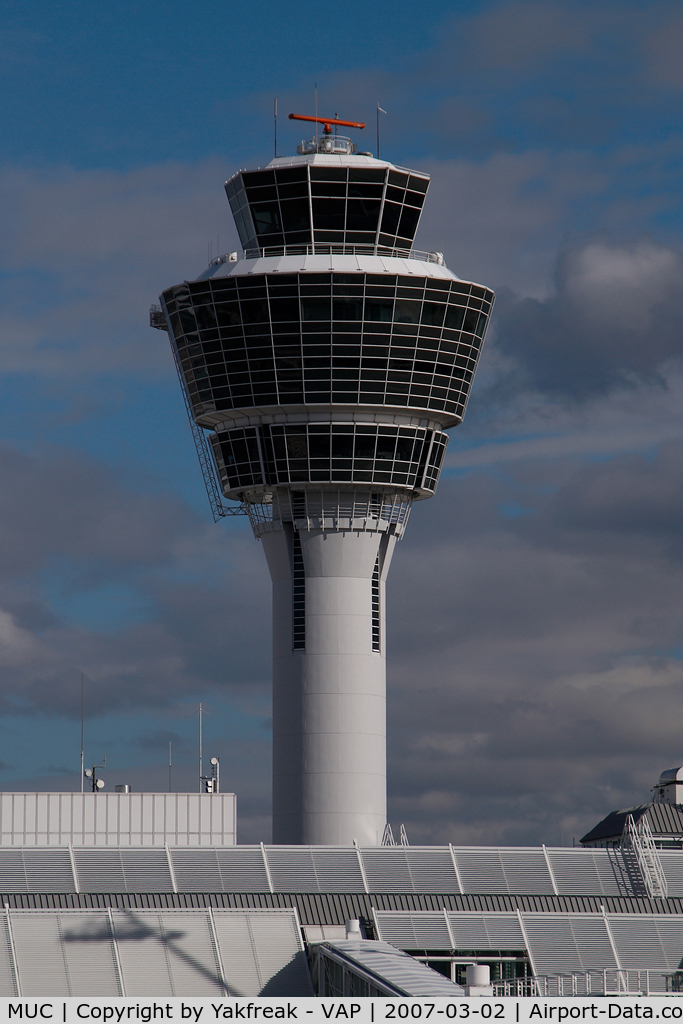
x=405, y=975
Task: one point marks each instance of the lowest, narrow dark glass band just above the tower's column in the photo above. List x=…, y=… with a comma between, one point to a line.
x=405, y=457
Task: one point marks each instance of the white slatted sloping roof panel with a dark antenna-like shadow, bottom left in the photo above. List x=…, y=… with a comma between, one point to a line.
x=162, y=953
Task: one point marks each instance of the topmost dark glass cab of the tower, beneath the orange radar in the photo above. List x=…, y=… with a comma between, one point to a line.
x=336, y=205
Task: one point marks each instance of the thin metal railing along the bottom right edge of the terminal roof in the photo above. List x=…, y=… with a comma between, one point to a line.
x=611, y=983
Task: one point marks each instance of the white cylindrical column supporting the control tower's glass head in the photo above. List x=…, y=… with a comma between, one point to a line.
x=329, y=682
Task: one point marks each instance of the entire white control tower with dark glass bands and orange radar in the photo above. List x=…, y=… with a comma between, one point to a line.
x=326, y=361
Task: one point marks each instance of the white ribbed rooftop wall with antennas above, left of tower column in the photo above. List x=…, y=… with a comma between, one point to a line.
x=118, y=819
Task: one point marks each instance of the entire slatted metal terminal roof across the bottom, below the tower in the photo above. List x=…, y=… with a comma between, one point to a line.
x=240, y=920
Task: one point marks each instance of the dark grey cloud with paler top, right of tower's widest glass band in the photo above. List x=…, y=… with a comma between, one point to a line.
x=616, y=317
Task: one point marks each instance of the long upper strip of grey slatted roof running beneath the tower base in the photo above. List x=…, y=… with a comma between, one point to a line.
x=331, y=872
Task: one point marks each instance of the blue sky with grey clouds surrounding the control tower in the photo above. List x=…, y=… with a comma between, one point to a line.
x=536, y=604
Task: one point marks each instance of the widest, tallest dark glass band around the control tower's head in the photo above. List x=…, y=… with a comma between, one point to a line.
x=354, y=339
